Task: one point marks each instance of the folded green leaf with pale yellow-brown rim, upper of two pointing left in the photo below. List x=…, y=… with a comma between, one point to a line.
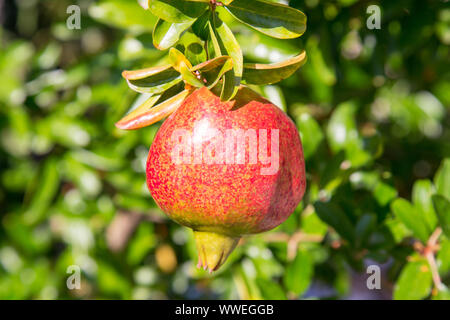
x=152, y=80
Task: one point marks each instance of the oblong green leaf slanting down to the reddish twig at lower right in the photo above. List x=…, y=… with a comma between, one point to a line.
x=411, y=218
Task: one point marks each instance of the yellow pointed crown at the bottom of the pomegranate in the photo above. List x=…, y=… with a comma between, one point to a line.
x=213, y=249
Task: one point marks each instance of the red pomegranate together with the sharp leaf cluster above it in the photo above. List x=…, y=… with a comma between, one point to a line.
x=226, y=162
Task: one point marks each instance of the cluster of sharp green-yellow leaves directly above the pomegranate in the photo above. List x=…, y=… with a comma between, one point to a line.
x=205, y=53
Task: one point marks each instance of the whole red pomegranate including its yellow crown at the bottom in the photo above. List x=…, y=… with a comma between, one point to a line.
x=226, y=169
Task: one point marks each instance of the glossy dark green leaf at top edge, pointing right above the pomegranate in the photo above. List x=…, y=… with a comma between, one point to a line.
x=276, y=20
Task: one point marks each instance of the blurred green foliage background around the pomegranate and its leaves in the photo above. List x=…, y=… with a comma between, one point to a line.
x=372, y=108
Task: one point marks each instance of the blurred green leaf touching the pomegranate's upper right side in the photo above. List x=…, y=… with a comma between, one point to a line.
x=310, y=133
